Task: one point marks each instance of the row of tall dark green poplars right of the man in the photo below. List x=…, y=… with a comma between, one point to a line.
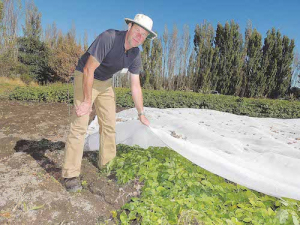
x=221, y=60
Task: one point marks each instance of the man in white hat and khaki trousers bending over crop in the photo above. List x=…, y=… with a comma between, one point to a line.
x=112, y=51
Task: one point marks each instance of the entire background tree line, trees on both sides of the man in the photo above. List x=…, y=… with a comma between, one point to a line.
x=221, y=60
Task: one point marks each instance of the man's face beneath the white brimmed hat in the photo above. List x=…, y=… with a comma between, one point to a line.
x=136, y=35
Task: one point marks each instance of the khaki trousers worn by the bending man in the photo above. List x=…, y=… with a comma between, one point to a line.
x=103, y=98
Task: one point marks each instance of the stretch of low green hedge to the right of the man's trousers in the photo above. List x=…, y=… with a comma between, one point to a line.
x=224, y=103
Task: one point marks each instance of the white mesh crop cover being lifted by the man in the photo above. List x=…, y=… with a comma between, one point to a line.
x=260, y=153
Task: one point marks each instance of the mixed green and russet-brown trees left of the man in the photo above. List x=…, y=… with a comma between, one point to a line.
x=41, y=56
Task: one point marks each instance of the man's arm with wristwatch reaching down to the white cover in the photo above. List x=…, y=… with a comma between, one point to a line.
x=137, y=97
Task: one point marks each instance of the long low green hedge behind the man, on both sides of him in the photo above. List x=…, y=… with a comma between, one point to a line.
x=172, y=99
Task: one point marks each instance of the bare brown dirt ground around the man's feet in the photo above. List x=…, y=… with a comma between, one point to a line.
x=32, y=140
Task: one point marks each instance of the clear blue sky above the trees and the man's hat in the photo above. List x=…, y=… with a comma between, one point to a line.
x=96, y=16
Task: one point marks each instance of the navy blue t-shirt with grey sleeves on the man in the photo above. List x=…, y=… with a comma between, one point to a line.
x=108, y=48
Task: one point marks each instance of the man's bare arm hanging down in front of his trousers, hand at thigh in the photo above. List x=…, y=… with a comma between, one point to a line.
x=87, y=84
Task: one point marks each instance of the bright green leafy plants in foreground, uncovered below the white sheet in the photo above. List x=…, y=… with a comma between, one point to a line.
x=176, y=191
